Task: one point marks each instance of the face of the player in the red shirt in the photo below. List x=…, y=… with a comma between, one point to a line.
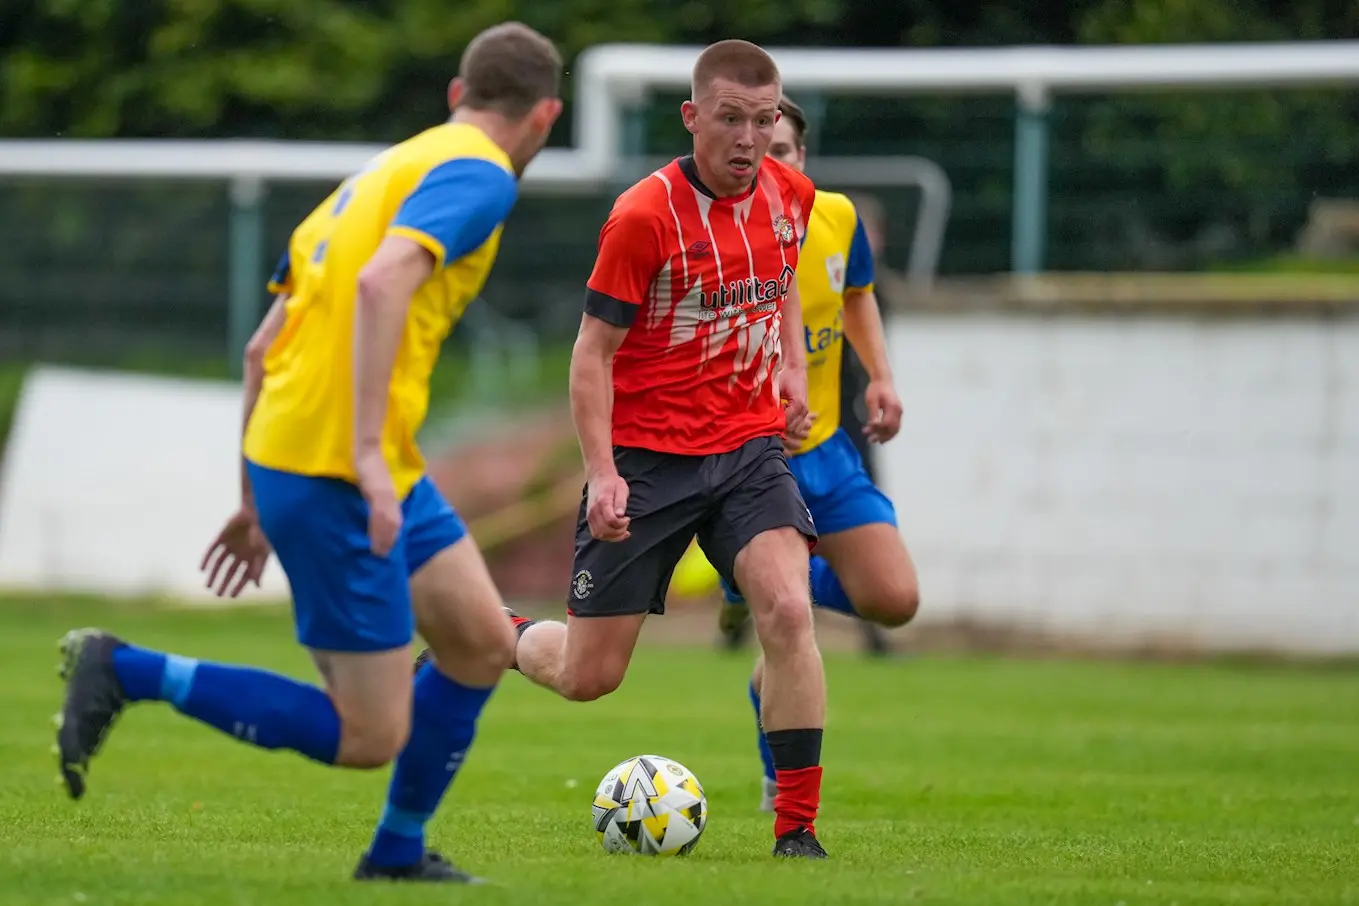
x=732, y=127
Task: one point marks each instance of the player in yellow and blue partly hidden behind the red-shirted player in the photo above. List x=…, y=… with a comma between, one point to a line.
x=862, y=567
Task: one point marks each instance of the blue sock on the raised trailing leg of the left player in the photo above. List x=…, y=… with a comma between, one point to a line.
x=253, y=706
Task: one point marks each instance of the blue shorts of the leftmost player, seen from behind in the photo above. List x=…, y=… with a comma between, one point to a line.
x=345, y=597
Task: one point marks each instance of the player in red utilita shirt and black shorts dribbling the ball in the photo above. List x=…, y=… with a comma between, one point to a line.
x=688, y=370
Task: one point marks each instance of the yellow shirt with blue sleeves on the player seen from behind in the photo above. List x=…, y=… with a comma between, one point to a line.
x=449, y=189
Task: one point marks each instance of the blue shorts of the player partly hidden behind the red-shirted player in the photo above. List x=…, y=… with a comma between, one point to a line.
x=838, y=488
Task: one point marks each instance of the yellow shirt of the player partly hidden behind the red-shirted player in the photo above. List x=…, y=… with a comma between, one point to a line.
x=835, y=259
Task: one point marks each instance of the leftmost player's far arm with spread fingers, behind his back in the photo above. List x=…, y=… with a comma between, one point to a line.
x=240, y=554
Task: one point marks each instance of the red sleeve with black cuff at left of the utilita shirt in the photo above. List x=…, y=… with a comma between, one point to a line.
x=627, y=264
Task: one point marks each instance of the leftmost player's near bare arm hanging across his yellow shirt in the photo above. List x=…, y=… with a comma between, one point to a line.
x=387, y=286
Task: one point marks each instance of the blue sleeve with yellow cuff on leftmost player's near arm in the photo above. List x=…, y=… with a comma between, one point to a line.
x=456, y=209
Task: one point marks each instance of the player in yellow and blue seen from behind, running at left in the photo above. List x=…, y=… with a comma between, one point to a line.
x=334, y=483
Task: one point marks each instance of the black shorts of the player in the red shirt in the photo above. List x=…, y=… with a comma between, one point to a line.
x=725, y=499
